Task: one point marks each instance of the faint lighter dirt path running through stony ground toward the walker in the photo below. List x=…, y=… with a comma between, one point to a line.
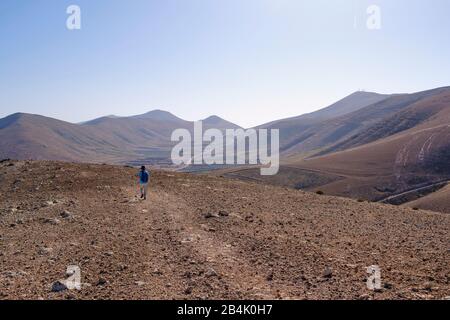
x=214, y=266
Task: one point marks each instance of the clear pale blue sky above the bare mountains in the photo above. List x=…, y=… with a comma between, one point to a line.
x=249, y=61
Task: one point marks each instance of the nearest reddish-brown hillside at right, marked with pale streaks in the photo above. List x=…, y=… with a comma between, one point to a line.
x=410, y=150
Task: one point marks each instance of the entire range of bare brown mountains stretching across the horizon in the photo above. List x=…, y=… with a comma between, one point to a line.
x=368, y=146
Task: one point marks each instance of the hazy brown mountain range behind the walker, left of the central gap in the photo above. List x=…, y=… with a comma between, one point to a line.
x=143, y=138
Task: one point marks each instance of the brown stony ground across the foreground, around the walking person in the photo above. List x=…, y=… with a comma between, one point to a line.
x=200, y=237
